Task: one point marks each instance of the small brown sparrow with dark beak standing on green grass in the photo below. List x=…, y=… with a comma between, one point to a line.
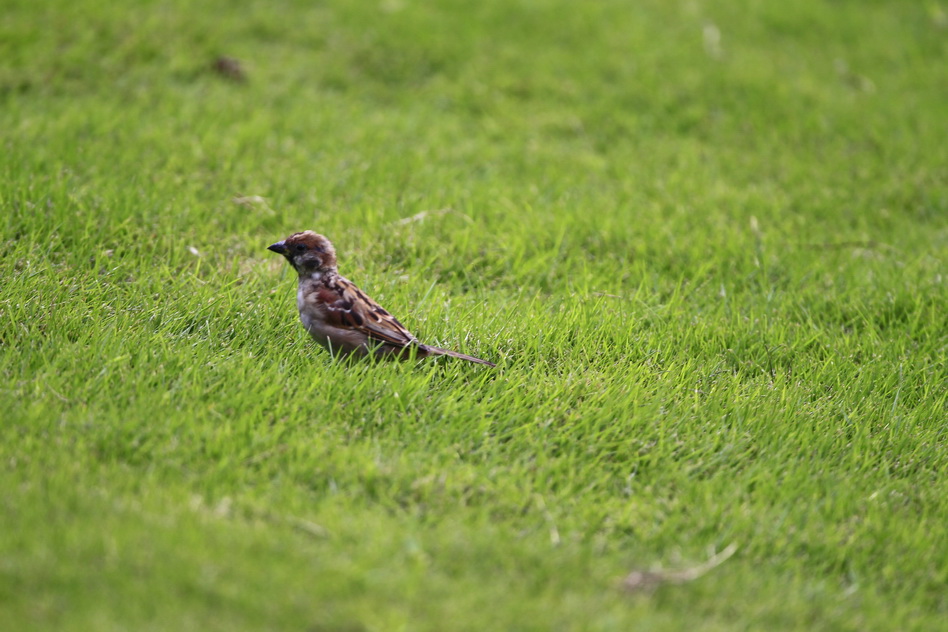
x=340, y=316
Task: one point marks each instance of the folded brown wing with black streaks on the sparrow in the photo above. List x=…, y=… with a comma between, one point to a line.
x=349, y=307
